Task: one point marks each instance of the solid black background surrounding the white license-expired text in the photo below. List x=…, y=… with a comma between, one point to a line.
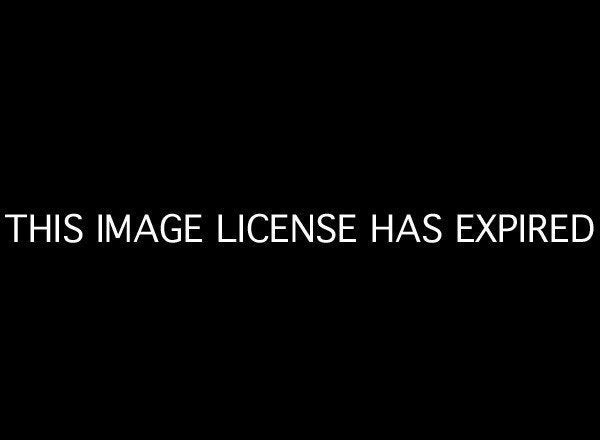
x=368, y=113
